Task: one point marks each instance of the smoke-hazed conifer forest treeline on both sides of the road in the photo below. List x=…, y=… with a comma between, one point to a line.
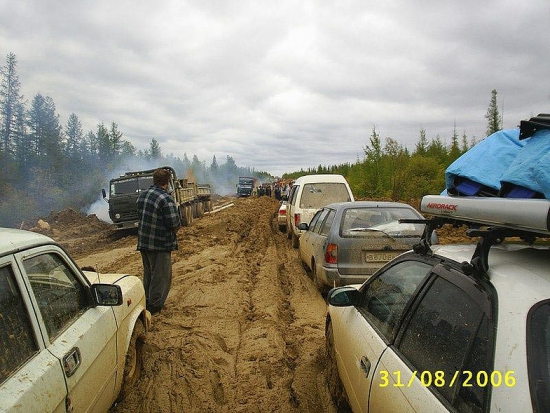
x=47, y=166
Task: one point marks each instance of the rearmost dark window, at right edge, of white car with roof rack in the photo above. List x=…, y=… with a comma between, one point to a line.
x=538, y=356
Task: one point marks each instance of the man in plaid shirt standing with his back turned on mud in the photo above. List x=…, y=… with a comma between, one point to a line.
x=157, y=238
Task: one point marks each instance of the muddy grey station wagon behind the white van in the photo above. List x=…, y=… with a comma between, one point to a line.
x=345, y=243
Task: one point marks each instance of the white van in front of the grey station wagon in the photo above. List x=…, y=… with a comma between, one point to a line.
x=311, y=193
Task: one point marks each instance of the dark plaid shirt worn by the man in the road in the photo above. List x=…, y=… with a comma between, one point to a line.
x=158, y=220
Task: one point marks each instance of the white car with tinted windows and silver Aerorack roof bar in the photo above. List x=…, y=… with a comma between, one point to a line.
x=451, y=328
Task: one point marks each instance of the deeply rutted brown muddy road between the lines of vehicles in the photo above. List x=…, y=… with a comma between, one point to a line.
x=243, y=325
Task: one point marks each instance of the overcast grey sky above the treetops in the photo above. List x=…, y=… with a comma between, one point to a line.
x=282, y=85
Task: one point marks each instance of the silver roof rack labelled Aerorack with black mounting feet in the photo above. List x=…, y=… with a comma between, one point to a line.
x=491, y=219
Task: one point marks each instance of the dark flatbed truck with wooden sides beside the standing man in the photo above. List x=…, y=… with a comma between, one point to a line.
x=192, y=199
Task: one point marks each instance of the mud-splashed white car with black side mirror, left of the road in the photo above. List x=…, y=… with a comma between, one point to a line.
x=70, y=340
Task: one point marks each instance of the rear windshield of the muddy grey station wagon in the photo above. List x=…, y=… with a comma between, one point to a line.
x=363, y=222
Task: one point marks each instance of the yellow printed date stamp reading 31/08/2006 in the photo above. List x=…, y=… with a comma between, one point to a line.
x=438, y=378
